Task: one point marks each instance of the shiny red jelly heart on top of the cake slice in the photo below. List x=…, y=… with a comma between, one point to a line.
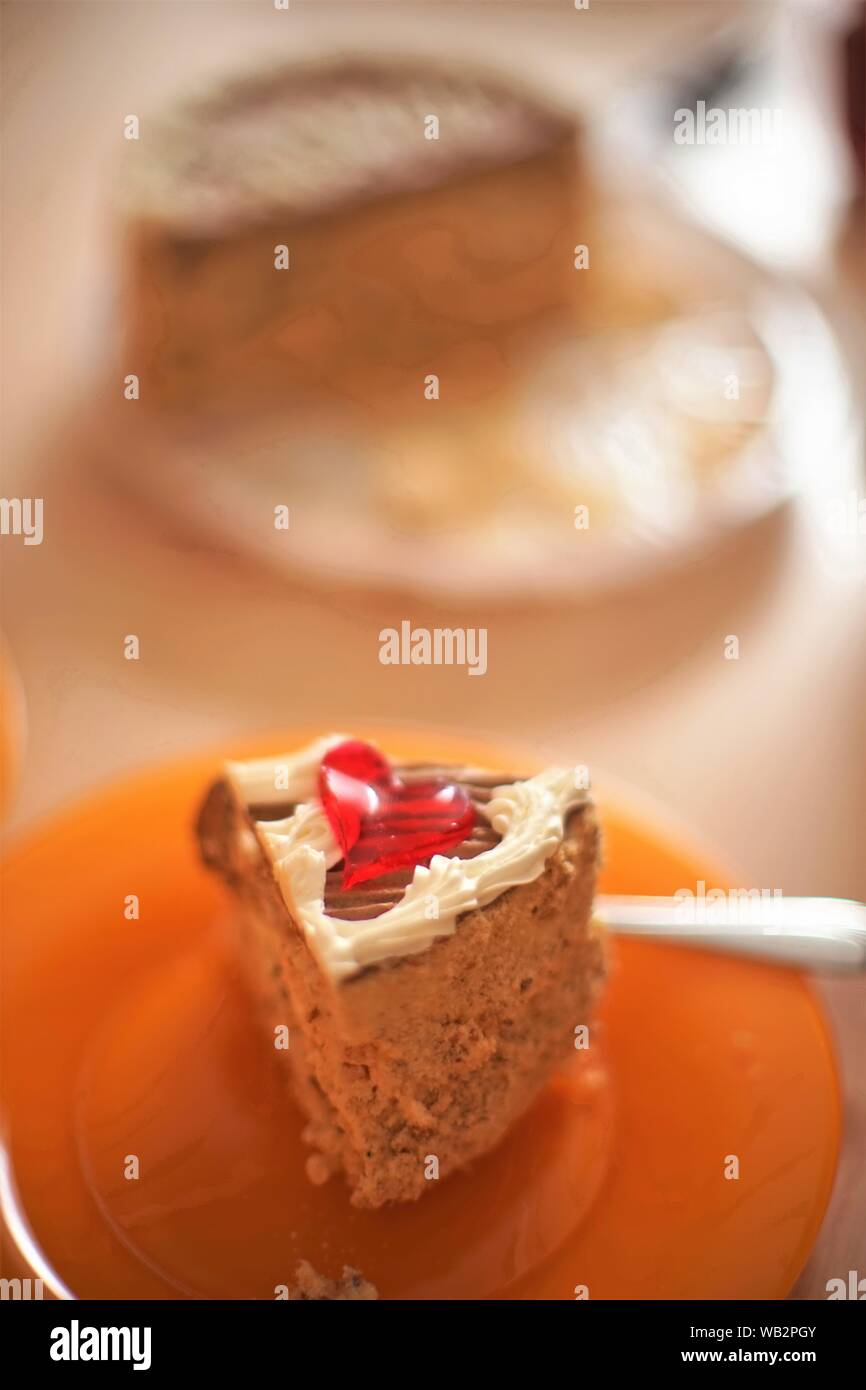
x=383, y=824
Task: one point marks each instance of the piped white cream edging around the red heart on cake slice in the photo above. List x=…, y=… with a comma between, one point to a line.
x=529, y=817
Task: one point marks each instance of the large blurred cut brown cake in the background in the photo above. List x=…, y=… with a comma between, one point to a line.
x=427, y=218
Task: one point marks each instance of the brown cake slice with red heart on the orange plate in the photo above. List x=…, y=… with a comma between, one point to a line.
x=423, y=933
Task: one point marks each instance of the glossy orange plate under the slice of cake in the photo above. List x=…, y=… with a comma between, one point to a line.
x=133, y=1039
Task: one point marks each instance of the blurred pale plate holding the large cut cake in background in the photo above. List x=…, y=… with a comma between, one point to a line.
x=648, y=512
